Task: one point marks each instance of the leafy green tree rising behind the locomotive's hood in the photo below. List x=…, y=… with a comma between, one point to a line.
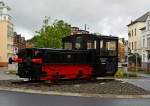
x=50, y=36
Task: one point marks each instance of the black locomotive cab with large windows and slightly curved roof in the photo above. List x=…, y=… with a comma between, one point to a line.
x=105, y=50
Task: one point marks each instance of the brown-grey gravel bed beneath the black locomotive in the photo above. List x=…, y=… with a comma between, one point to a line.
x=102, y=86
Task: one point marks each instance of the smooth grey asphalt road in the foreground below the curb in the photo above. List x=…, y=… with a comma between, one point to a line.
x=24, y=99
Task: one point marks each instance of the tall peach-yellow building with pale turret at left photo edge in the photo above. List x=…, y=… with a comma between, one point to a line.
x=6, y=34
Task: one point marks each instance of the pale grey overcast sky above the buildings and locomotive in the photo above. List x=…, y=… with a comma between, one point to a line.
x=101, y=16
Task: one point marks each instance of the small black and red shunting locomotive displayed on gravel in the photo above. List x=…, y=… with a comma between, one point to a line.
x=82, y=56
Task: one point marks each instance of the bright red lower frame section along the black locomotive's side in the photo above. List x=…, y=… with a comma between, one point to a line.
x=73, y=71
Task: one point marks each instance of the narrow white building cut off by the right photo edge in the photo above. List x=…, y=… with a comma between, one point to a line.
x=146, y=44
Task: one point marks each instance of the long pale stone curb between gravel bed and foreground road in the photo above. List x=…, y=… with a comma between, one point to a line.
x=56, y=93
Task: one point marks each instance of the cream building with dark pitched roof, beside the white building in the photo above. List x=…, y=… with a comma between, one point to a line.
x=135, y=34
